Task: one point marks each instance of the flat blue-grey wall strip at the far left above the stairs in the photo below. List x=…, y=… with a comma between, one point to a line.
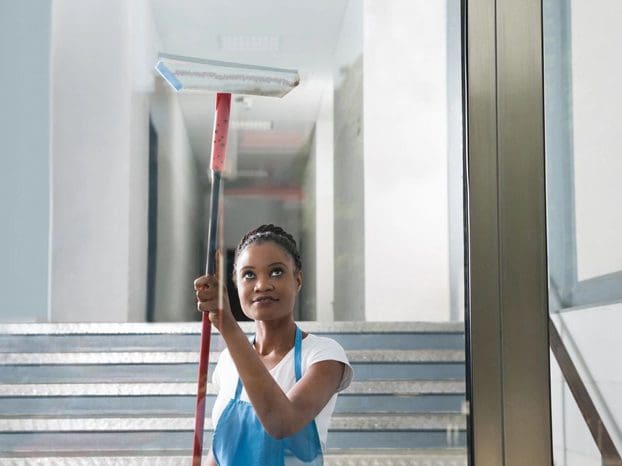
x=25, y=29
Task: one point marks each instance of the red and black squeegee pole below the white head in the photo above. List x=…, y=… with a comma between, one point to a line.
x=219, y=149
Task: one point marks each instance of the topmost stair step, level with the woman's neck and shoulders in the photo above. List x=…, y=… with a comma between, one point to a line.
x=185, y=336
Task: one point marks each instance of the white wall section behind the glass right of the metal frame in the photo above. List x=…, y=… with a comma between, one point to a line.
x=596, y=126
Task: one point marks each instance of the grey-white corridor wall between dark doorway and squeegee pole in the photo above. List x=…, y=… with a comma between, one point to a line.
x=180, y=226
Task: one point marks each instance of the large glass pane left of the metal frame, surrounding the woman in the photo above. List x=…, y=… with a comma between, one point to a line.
x=362, y=163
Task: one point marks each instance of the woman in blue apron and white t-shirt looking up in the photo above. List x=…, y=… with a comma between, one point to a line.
x=276, y=394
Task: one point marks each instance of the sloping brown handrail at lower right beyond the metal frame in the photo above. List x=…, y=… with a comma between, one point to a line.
x=600, y=434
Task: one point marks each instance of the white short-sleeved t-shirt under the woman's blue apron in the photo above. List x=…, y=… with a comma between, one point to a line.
x=314, y=349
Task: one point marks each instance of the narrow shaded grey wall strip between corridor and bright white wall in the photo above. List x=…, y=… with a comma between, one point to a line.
x=348, y=163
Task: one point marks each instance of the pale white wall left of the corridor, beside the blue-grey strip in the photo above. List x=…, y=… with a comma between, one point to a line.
x=101, y=51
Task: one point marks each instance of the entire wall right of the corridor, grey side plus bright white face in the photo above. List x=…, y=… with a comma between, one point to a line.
x=395, y=231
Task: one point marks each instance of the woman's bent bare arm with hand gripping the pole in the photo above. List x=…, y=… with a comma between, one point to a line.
x=281, y=414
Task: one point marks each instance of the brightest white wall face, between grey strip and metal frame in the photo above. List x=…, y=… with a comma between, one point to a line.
x=406, y=191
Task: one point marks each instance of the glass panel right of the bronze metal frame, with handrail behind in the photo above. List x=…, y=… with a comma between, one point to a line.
x=585, y=224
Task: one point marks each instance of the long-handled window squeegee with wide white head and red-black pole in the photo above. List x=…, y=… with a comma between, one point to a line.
x=188, y=74
